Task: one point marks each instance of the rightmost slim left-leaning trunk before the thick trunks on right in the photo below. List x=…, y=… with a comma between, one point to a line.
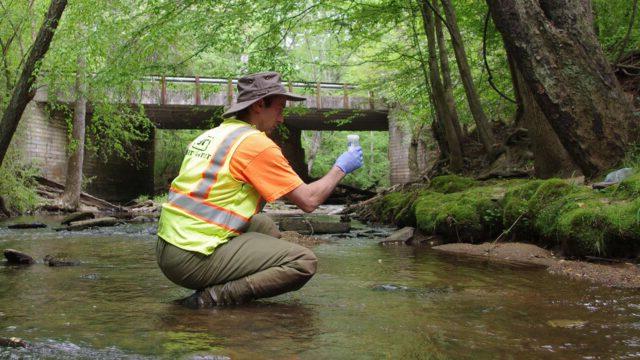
x=482, y=124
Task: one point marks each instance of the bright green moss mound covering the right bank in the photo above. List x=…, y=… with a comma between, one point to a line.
x=553, y=213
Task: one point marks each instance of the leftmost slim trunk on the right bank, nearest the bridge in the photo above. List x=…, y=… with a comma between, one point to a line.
x=453, y=142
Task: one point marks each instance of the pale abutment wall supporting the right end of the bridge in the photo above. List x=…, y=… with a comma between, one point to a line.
x=399, y=142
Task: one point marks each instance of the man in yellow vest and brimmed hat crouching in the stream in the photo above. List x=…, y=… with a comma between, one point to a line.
x=211, y=237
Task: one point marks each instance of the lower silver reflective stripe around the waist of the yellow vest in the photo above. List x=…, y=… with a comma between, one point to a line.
x=207, y=212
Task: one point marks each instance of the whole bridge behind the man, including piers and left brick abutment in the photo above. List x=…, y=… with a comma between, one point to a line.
x=195, y=103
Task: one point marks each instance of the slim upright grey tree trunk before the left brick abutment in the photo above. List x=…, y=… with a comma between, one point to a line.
x=73, y=186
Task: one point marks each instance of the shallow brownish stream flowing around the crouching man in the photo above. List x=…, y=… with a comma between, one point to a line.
x=365, y=302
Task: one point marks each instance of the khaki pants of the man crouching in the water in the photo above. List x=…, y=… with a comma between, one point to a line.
x=253, y=265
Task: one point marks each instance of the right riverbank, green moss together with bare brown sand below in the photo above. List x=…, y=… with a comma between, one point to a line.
x=567, y=222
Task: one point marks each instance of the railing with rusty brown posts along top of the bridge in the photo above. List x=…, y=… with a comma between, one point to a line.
x=198, y=82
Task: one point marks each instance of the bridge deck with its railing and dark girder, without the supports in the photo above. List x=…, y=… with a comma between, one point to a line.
x=193, y=102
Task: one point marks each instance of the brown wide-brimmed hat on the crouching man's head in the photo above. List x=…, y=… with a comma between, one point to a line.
x=254, y=87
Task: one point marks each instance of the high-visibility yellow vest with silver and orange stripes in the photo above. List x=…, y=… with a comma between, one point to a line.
x=206, y=205
